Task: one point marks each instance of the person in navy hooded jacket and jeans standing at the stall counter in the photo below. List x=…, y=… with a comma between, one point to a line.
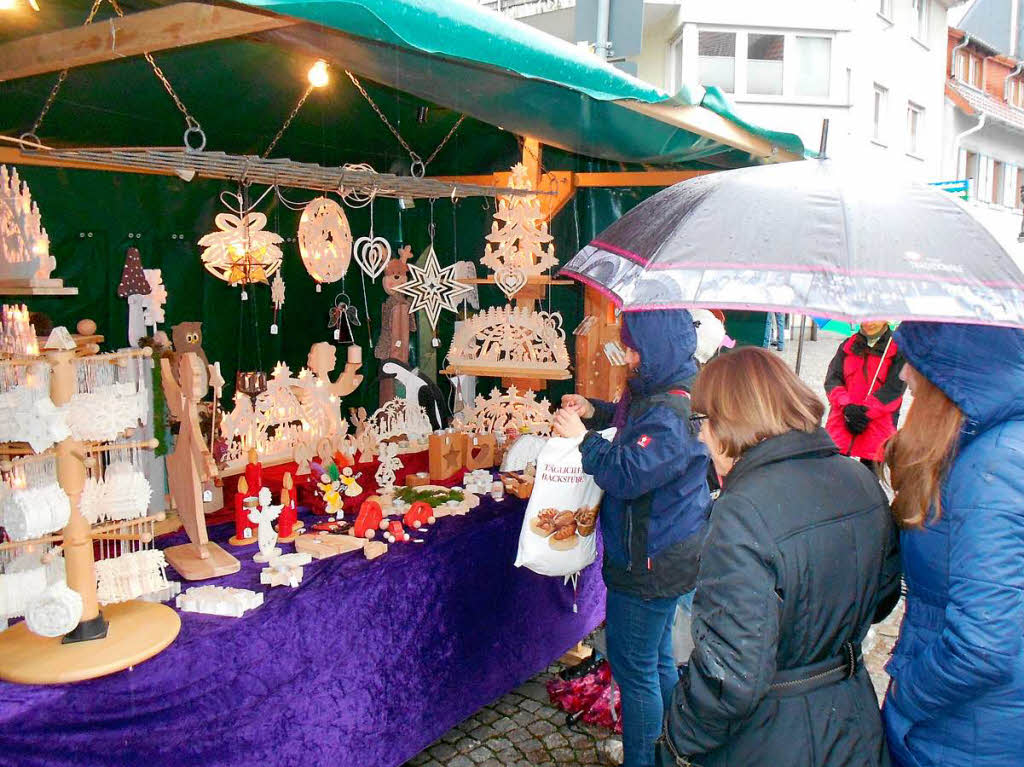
x=654, y=516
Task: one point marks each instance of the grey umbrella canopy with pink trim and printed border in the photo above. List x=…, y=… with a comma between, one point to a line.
x=830, y=240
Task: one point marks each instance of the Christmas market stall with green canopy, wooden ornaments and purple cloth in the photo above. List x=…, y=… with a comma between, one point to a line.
x=326, y=377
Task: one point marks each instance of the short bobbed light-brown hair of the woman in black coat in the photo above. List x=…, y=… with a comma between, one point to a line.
x=749, y=396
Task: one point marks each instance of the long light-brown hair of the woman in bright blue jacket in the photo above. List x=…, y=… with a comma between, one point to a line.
x=920, y=454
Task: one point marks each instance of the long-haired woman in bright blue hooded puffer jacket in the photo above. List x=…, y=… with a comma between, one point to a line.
x=957, y=696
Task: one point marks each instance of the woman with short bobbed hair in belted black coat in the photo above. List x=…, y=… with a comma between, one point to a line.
x=799, y=562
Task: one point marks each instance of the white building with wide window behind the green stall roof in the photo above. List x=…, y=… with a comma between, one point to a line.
x=874, y=68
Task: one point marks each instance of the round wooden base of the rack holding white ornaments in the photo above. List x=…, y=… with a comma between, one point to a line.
x=138, y=631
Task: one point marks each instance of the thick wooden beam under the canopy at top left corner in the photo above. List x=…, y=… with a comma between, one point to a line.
x=149, y=31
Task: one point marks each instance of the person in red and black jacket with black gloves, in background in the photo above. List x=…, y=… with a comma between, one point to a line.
x=866, y=393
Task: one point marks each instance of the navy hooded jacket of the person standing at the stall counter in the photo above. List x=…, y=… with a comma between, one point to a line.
x=654, y=473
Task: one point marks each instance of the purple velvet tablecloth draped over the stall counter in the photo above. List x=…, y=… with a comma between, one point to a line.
x=366, y=664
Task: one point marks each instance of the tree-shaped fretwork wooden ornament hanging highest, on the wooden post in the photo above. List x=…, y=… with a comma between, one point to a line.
x=520, y=245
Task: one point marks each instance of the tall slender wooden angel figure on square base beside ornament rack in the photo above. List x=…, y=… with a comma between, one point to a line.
x=188, y=467
